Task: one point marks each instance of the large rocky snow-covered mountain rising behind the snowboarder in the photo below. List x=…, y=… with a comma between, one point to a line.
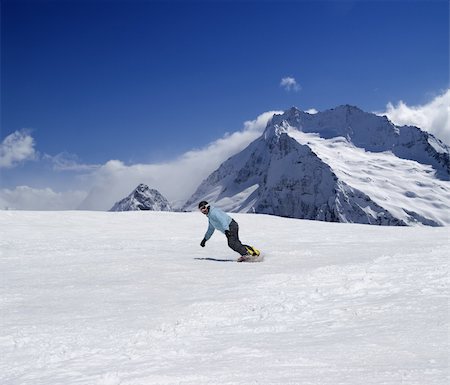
x=341, y=165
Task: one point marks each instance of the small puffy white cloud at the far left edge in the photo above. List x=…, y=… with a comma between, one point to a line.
x=15, y=148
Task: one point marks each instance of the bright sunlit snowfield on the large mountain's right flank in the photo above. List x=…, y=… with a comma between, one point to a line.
x=405, y=188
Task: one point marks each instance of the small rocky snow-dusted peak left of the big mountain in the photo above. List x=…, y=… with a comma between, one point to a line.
x=143, y=198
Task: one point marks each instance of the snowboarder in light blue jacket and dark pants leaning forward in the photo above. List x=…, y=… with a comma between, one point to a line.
x=218, y=220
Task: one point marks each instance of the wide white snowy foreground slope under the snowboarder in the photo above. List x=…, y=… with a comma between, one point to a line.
x=103, y=298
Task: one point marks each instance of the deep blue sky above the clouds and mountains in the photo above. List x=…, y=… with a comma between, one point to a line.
x=144, y=81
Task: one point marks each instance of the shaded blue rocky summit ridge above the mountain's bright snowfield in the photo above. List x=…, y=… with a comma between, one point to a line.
x=372, y=133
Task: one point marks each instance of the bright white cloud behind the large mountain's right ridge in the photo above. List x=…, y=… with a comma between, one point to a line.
x=433, y=117
